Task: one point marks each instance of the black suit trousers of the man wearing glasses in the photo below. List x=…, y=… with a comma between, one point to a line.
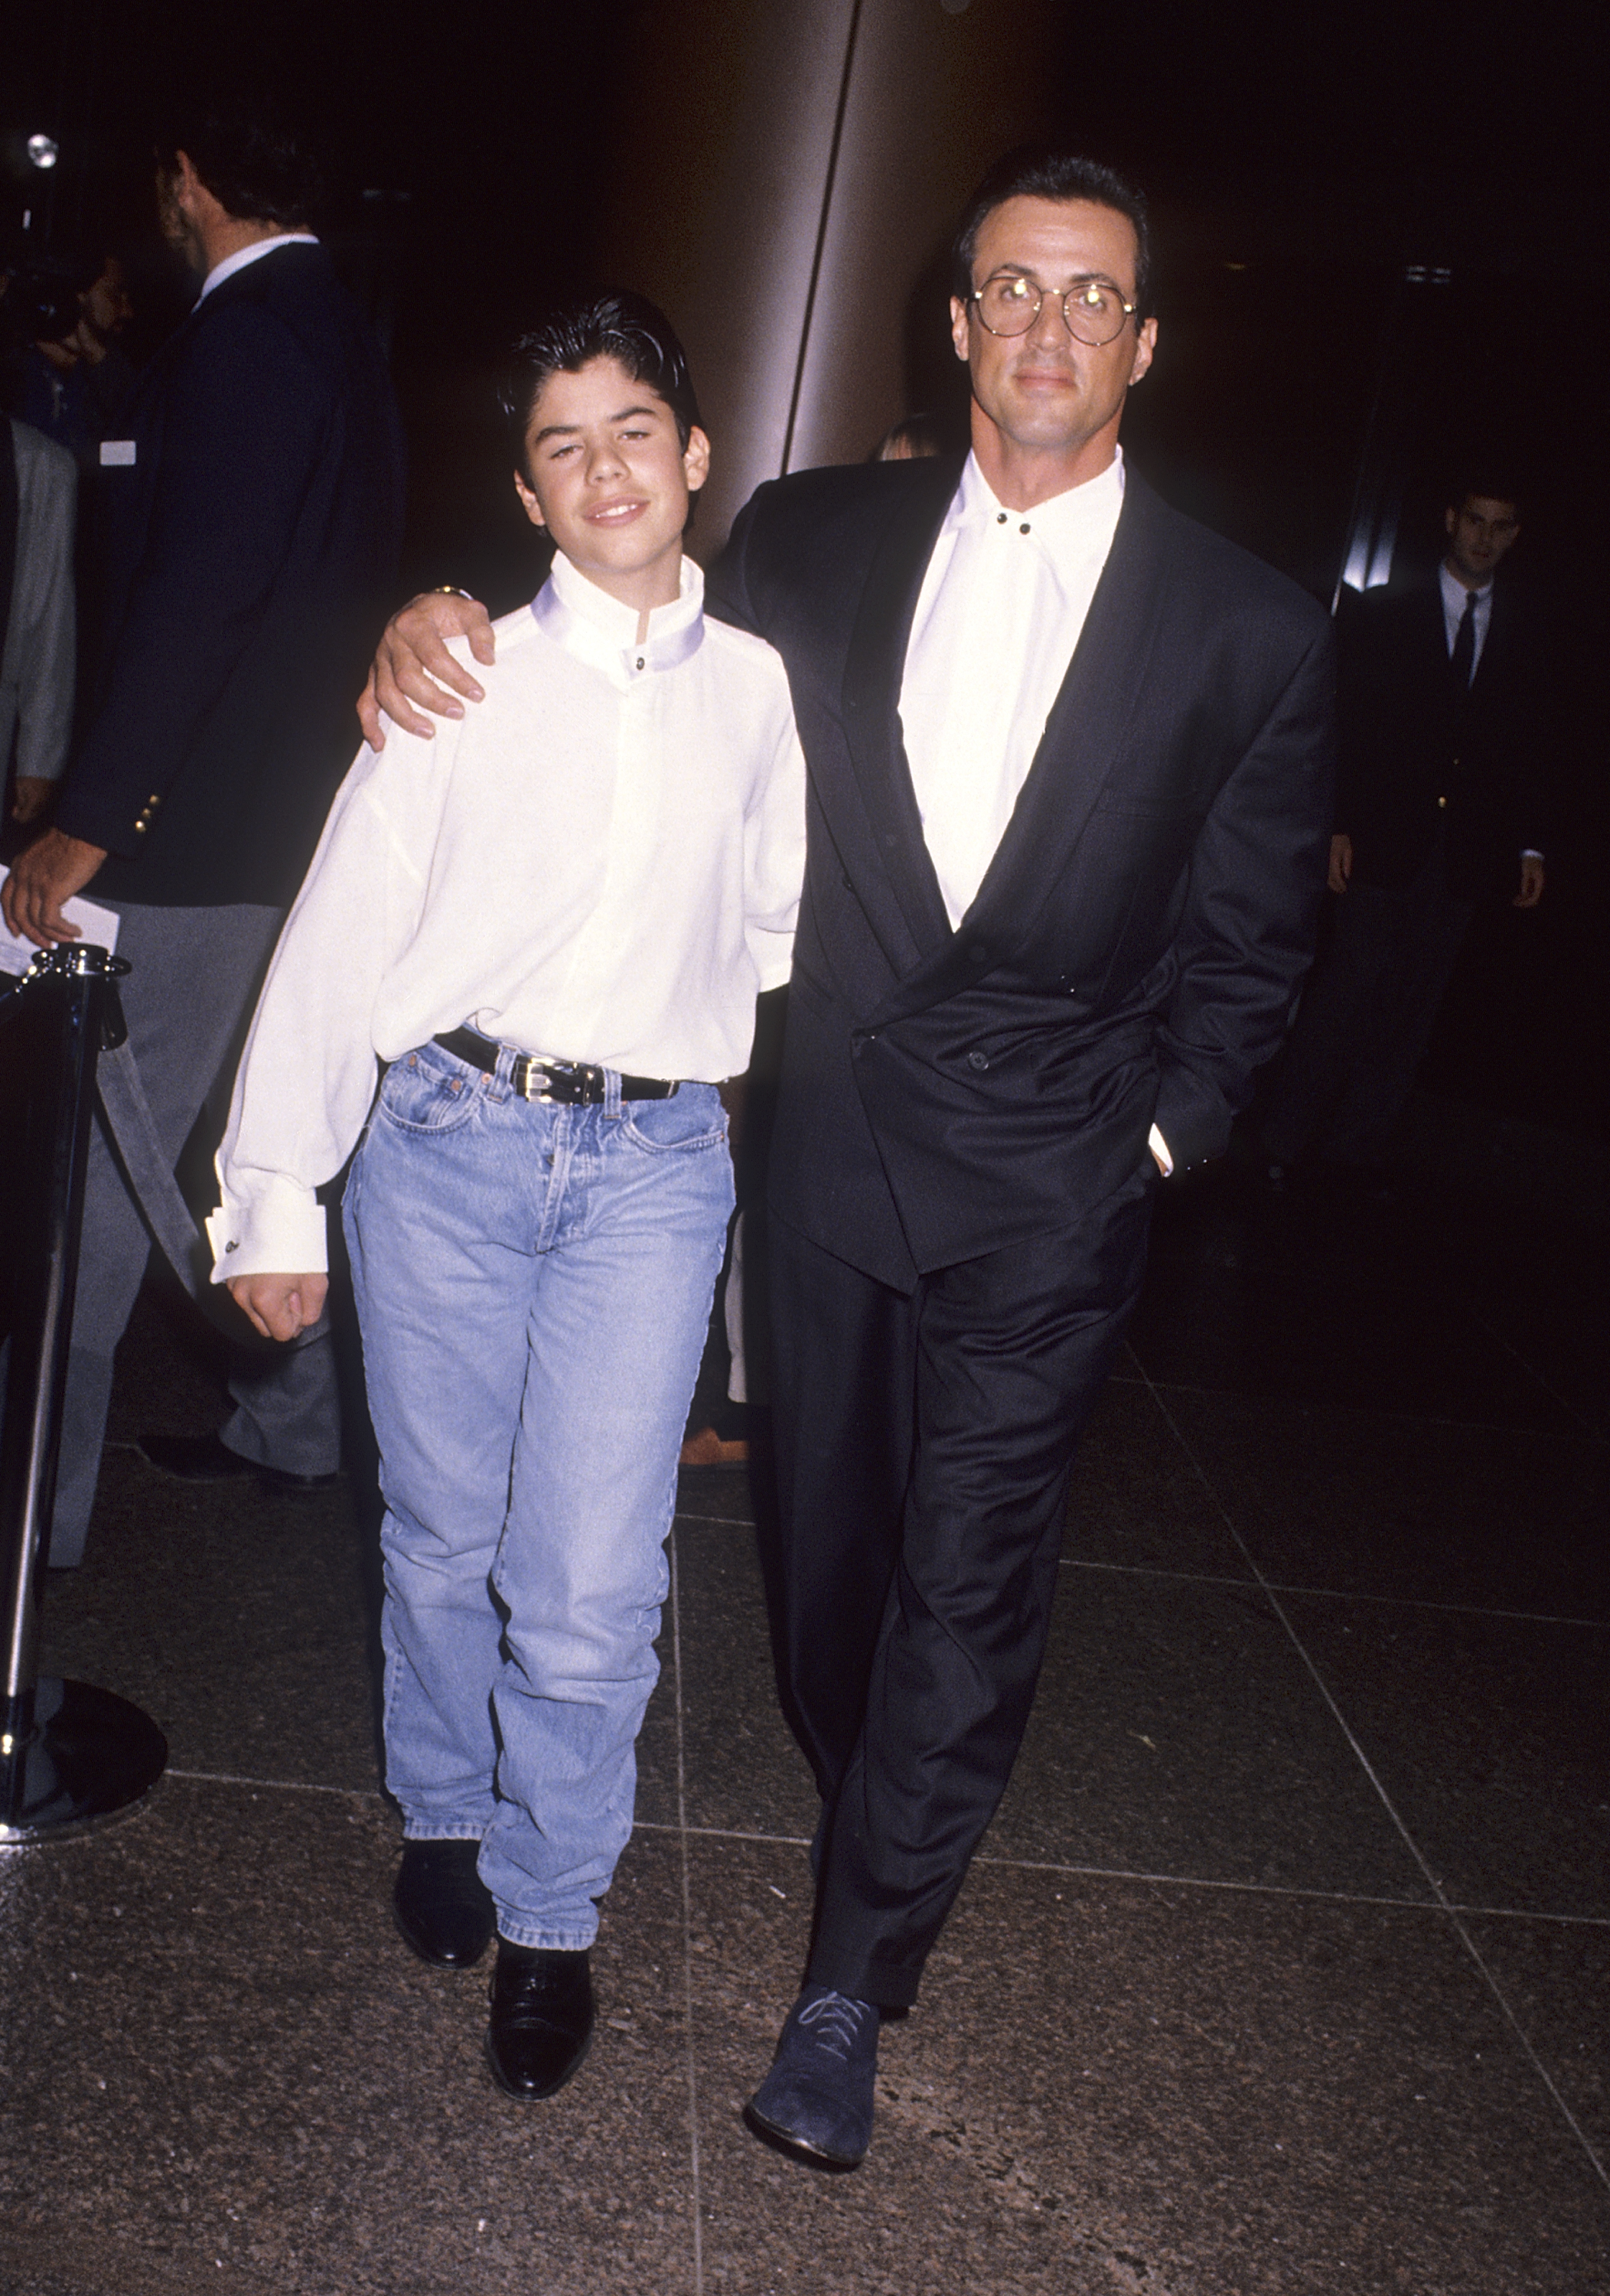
x=924, y=1448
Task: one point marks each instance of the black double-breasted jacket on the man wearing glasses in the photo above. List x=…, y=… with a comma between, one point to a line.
x=1138, y=938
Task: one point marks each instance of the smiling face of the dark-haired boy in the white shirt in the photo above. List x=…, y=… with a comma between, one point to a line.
x=612, y=481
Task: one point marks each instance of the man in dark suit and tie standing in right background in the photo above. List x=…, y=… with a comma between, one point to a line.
x=1439, y=807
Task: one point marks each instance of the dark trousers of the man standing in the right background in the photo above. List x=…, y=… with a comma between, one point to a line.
x=1365, y=1021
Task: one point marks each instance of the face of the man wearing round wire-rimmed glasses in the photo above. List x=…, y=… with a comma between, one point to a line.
x=1046, y=394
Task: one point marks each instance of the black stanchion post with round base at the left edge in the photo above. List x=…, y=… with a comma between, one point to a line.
x=70, y=1755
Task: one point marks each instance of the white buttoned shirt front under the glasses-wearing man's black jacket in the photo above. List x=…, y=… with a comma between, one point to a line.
x=998, y=621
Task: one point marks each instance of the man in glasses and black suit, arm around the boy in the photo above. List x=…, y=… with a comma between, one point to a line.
x=1069, y=798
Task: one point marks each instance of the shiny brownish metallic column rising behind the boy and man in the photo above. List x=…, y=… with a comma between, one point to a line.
x=784, y=183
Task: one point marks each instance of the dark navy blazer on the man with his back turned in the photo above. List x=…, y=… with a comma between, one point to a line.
x=245, y=561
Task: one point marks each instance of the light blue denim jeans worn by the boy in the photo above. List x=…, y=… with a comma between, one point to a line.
x=534, y=1287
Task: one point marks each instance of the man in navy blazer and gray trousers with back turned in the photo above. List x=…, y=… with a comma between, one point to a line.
x=249, y=532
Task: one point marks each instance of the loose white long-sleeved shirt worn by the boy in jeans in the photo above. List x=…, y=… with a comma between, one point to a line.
x=601, y=862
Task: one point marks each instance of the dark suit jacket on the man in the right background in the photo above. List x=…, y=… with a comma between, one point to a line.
x=1418, y=759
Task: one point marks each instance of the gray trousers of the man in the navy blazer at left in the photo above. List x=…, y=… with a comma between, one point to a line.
x=192, y=988
